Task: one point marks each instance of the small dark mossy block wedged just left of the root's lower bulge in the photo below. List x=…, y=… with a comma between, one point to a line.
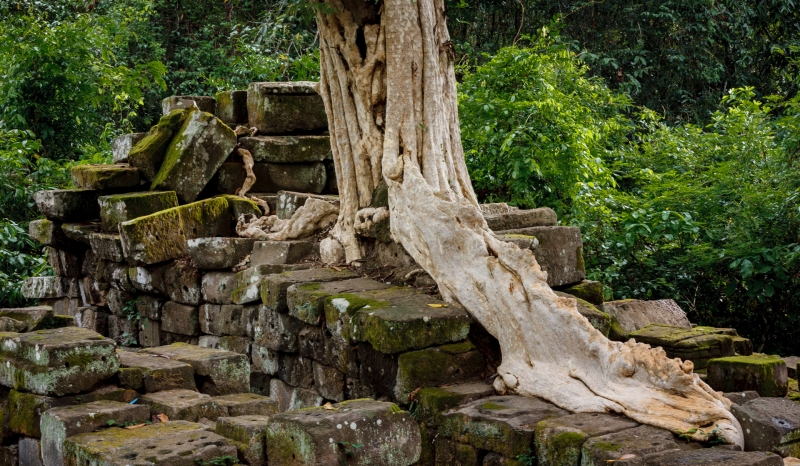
x=433, y=401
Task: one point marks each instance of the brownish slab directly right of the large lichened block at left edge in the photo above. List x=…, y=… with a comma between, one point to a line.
x=147, y=373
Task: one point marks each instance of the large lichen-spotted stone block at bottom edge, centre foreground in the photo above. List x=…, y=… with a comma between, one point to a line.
x=387, y=435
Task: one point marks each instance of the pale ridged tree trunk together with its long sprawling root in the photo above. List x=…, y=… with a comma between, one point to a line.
x=390, y=95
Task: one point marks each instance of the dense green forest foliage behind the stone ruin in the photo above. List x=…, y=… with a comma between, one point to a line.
x=668, y=130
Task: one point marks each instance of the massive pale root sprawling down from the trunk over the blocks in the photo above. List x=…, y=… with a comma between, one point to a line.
x=549, y=349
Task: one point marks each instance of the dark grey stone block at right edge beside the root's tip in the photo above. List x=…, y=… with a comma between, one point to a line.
x=770, y=424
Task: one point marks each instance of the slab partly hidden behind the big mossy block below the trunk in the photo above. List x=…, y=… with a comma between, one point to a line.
x=306, y=301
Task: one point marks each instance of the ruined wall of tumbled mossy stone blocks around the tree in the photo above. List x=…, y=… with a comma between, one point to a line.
x=166, y=339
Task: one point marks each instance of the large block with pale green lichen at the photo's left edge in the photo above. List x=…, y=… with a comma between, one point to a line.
x=56, y=362
